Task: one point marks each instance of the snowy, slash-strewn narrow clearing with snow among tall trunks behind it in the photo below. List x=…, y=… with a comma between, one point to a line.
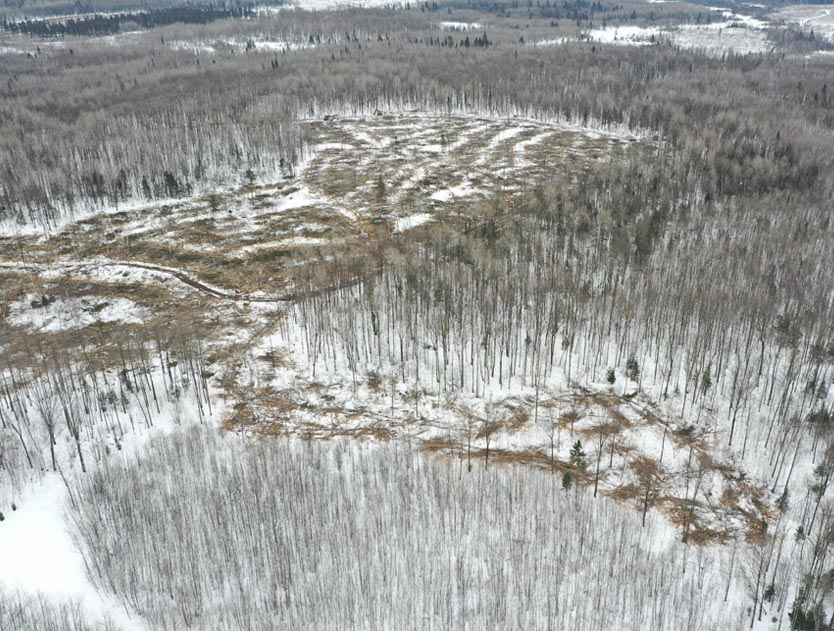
x=531, y=423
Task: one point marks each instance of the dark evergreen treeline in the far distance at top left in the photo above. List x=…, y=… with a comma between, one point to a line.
x=109, y=24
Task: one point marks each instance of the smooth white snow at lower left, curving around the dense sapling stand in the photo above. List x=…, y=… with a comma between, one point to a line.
x=37, y=552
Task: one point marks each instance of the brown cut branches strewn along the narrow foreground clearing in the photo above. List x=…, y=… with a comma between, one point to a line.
x=639, y=481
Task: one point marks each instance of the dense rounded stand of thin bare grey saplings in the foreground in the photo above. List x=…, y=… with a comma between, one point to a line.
x=368, y=531
